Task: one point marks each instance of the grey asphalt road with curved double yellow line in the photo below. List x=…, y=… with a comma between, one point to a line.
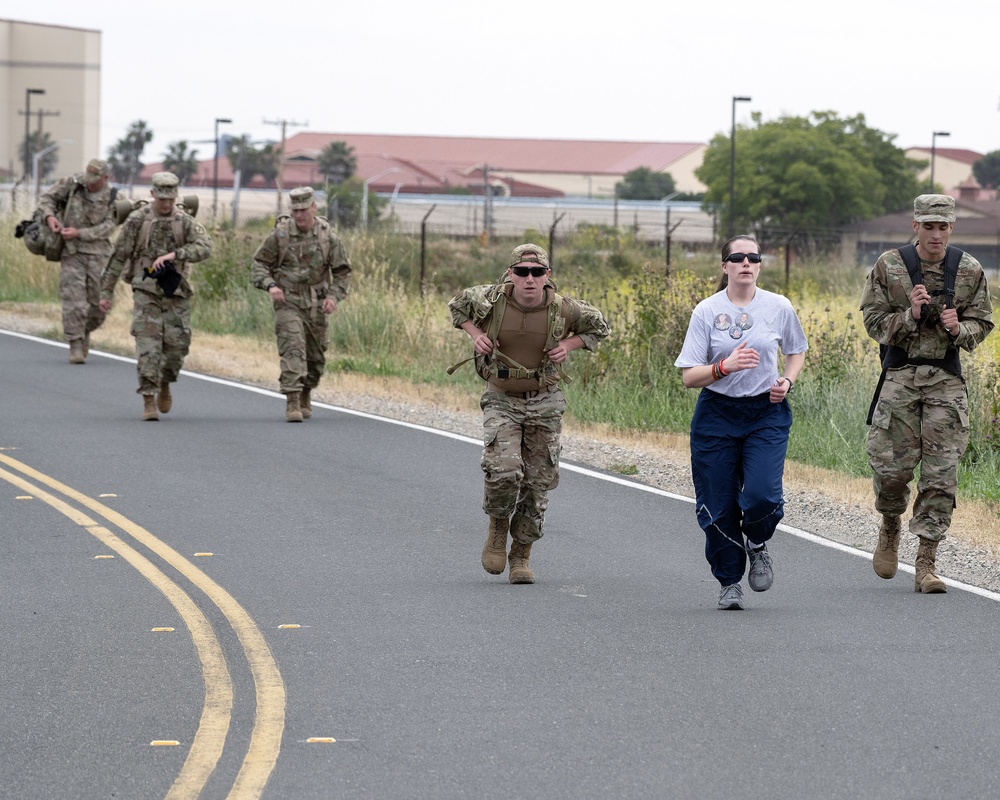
x=298, y=611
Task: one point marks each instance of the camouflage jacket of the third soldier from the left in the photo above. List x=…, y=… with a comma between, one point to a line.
x=310, y=263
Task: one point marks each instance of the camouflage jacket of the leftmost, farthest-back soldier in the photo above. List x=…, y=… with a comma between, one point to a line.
x=92, y=213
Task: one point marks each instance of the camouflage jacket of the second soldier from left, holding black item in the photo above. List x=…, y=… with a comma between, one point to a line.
x=131, y=257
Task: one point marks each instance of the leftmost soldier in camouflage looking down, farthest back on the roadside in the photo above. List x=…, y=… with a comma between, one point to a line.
x=80, y=208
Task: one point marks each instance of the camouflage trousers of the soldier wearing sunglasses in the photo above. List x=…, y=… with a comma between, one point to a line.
x=521, y=457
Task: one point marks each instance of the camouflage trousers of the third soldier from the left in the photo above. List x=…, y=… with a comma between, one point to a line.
x=302, y=341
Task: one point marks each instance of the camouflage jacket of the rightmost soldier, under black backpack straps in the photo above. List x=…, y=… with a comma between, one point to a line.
x=885, y=304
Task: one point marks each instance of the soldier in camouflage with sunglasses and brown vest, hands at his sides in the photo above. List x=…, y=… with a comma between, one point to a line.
x=523, y=404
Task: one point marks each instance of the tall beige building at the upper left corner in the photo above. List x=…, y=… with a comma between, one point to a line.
x=65, y=64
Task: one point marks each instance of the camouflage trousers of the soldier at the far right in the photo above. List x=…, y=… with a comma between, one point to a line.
x=922, y=417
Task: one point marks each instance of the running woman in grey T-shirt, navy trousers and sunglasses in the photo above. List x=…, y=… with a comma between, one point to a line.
x=739, y=431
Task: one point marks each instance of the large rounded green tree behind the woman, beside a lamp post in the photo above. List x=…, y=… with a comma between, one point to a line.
x=807, y=173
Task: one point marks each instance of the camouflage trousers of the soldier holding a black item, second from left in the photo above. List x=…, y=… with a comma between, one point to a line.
x=162, y=330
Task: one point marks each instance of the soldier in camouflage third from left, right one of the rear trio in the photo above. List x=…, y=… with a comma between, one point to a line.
x=305, y=270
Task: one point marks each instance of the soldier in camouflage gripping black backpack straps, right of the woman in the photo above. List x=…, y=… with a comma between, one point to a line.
x=921, y=415
